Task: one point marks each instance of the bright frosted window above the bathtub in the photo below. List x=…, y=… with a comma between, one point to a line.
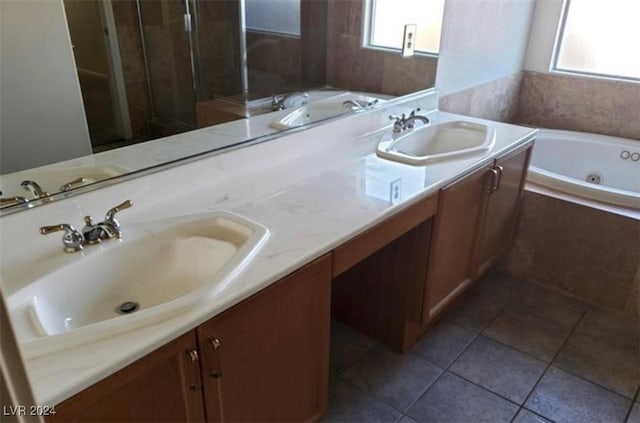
x=599, y=38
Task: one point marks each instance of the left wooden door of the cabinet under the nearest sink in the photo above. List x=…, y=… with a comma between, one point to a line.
x=164, y=386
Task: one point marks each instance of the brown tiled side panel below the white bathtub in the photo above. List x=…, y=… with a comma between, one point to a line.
x=584, y=252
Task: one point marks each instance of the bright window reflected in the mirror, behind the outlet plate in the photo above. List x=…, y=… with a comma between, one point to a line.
x=384, y=22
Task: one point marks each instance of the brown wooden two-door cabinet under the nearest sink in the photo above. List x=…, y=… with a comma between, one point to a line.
x=266, y=359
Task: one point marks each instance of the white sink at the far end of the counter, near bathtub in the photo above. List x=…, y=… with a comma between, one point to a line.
x=443, y=141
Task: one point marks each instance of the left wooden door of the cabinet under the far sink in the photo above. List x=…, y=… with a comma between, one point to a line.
x=449, y=269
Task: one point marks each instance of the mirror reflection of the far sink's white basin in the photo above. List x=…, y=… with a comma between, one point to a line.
x=319, y=110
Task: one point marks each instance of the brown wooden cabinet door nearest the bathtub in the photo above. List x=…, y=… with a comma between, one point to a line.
x=501, y=215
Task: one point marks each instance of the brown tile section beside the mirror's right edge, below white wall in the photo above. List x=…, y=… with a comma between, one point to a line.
x=494, y=100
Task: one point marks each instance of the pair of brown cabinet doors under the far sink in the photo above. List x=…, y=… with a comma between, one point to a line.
x=474, y=226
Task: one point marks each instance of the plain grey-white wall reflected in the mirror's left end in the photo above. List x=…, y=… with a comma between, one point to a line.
x=41, y=113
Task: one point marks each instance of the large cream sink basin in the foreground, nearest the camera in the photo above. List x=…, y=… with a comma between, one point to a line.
x=164, y=267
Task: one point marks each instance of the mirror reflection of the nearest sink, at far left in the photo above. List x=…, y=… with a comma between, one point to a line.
x=53, y=178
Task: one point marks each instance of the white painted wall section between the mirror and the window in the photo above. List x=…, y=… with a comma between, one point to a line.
x=482, y=40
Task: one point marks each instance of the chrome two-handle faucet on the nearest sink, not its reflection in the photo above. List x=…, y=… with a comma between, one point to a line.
x=73, y=240
